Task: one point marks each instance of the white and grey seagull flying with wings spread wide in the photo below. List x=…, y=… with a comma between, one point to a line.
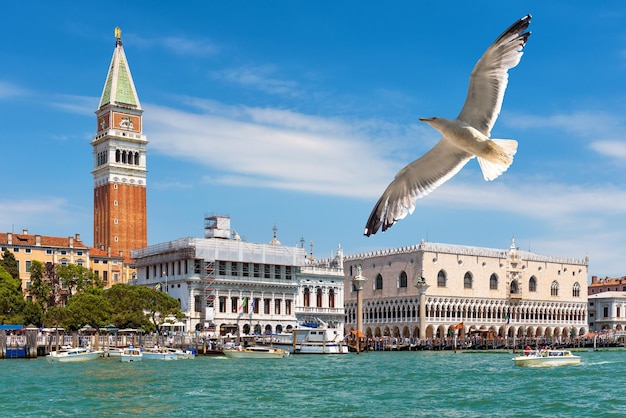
x=463, y=138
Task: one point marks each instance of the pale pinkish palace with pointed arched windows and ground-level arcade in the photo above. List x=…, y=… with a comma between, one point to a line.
x=506, y=292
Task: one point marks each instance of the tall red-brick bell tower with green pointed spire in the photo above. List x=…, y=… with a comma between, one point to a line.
x=119, y=156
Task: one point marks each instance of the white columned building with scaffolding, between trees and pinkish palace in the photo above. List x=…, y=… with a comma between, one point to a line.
x=229, y=286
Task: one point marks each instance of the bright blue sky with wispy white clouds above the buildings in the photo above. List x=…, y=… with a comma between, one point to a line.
x=299, y=113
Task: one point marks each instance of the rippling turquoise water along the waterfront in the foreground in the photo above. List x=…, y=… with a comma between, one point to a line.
x=376, y=384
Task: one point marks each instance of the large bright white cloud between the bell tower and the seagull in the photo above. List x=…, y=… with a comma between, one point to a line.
x=277, y=149
